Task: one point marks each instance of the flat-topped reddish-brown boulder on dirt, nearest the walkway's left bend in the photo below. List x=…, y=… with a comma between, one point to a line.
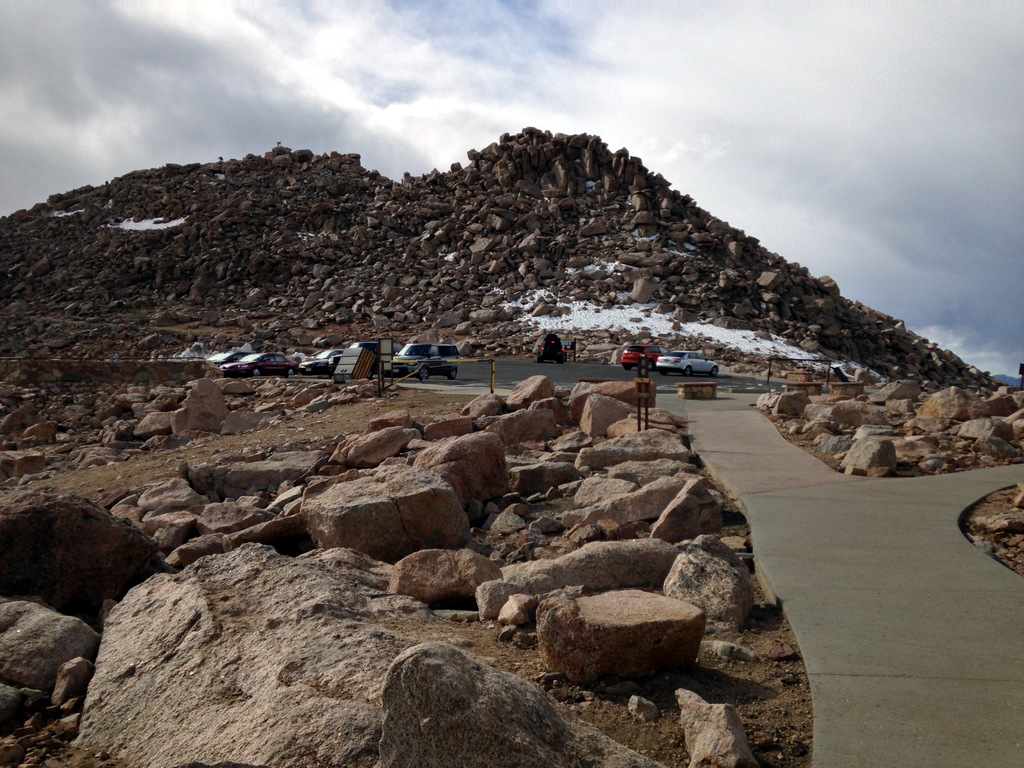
x=626, y=633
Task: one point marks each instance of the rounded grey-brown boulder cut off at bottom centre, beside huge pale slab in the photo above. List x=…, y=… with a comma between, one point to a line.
x=443, y=708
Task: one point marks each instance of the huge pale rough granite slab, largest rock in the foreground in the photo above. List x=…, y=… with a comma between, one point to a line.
x=193, y=665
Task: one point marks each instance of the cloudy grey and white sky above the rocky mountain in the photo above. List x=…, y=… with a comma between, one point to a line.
x=880, y=144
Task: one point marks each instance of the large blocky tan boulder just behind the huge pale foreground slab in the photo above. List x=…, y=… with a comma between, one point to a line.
x=387, y=516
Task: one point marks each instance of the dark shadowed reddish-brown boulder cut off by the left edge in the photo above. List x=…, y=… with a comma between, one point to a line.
x=68, y=551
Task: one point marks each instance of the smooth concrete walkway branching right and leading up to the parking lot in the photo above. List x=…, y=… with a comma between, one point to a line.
x=914, y=641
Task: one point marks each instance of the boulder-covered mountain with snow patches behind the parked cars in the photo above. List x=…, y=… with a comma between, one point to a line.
x=285, y=249
